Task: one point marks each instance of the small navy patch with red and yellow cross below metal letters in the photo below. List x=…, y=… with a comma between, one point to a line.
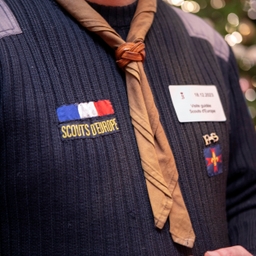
x=213, y=160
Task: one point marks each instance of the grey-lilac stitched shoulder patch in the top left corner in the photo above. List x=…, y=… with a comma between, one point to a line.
x=8, y=23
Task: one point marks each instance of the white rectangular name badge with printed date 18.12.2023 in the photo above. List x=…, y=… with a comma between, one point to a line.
x=197, y=103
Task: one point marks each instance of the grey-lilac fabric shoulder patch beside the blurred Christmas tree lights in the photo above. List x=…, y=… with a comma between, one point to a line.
x=196, y=27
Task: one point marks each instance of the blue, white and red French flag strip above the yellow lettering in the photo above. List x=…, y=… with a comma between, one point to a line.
x=84, y=110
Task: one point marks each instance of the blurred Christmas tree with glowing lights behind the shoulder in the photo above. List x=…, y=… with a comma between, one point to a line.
x=236, y=22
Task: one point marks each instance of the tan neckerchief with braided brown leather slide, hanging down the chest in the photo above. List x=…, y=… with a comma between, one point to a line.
x=156, y=156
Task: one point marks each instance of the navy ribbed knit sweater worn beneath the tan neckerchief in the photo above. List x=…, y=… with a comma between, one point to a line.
x=87, y=196
